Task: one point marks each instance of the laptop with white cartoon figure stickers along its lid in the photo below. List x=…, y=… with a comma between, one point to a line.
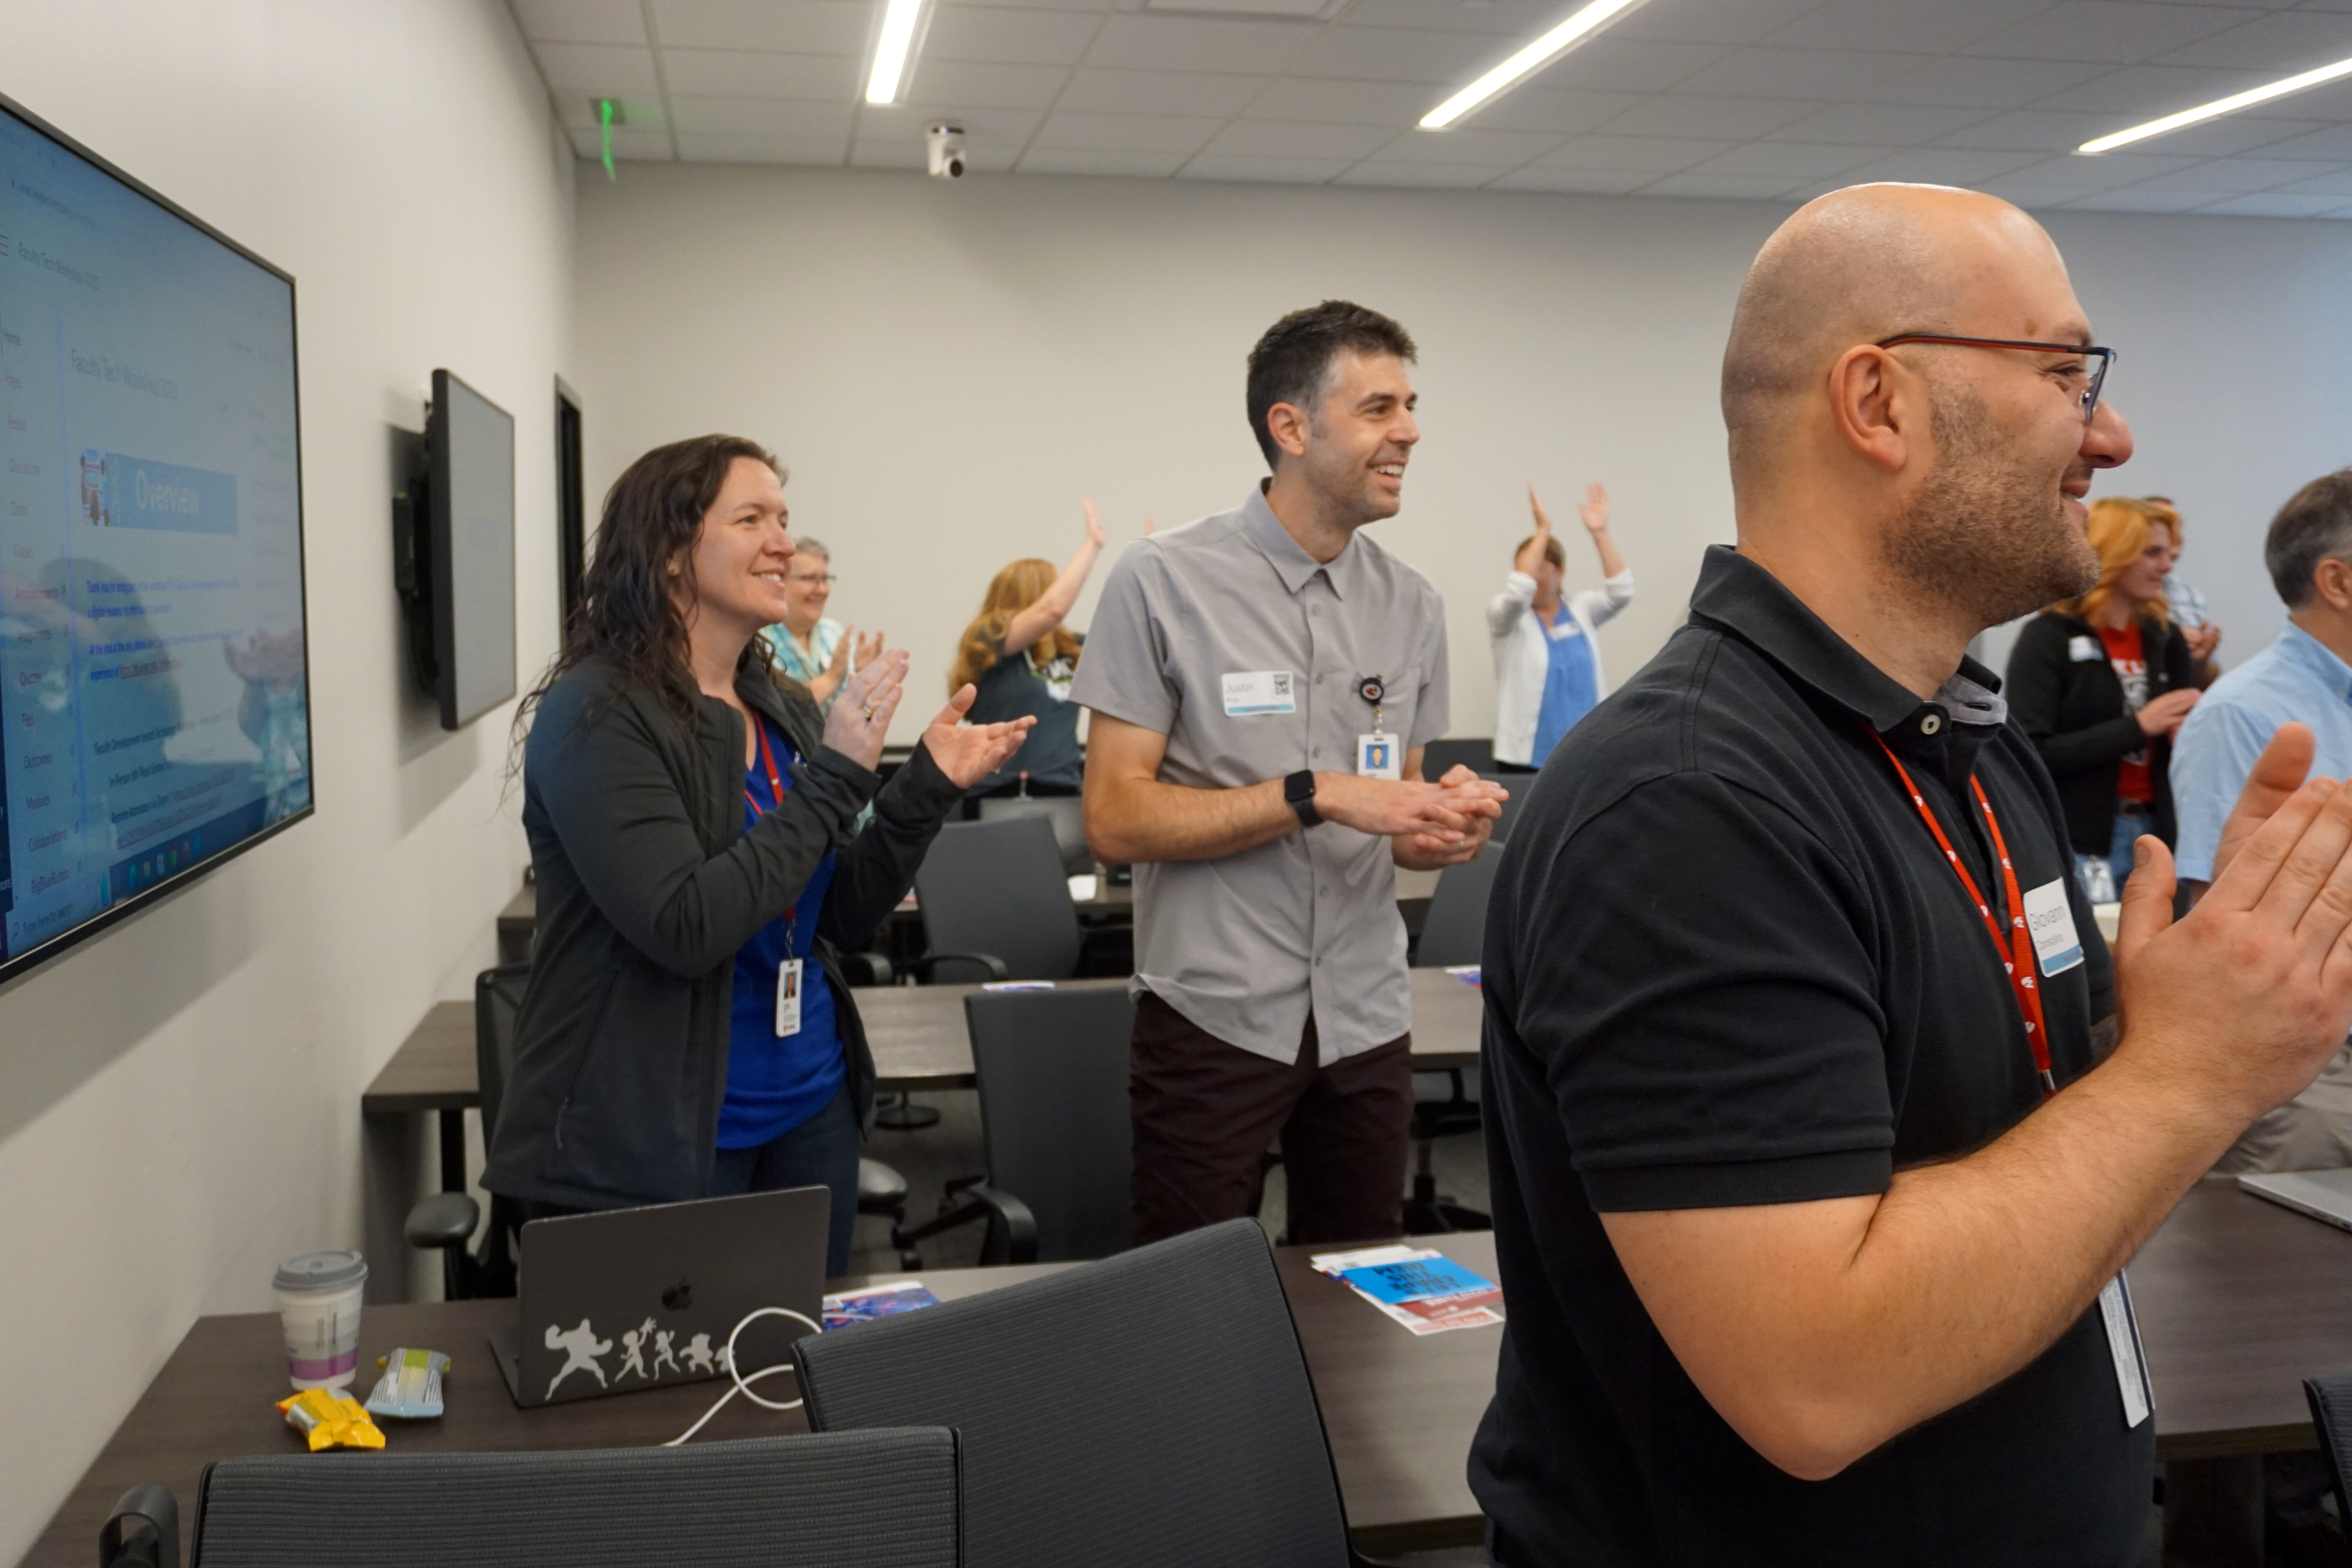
x=636, y=1299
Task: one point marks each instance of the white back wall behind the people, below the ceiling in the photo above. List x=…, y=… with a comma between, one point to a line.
x=951, y=368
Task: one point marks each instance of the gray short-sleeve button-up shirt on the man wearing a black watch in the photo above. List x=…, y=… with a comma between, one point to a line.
x=1250, y=944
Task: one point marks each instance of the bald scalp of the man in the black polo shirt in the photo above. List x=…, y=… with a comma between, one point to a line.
x=1857, y=267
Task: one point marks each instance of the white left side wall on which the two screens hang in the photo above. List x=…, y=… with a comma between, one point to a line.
x=180, y=1097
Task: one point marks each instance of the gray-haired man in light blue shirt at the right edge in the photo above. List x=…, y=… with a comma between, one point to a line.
x=2304, y=678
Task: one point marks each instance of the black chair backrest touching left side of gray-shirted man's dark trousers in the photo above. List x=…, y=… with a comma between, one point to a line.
x=1053, y=1073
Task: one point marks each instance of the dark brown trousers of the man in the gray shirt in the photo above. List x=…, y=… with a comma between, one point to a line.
x=1205, y=1113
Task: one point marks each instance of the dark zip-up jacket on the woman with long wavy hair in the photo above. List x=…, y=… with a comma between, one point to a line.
x=648, y=887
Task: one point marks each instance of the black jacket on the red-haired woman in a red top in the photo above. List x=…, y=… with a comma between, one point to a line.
x=2073, y=711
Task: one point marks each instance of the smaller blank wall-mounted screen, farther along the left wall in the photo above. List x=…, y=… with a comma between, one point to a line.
x=472, y=518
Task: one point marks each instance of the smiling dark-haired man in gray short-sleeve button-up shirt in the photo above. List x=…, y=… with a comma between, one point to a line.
x=1262, y=688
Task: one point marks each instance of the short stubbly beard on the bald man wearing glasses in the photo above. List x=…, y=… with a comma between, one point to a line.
x=1986, y=535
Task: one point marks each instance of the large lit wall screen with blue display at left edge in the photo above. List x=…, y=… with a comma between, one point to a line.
x=154, y=662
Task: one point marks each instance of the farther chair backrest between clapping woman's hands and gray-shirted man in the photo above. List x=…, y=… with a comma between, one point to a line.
x=998, y=887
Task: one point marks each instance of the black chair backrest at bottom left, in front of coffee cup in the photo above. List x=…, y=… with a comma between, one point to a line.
x=846, y=1501
